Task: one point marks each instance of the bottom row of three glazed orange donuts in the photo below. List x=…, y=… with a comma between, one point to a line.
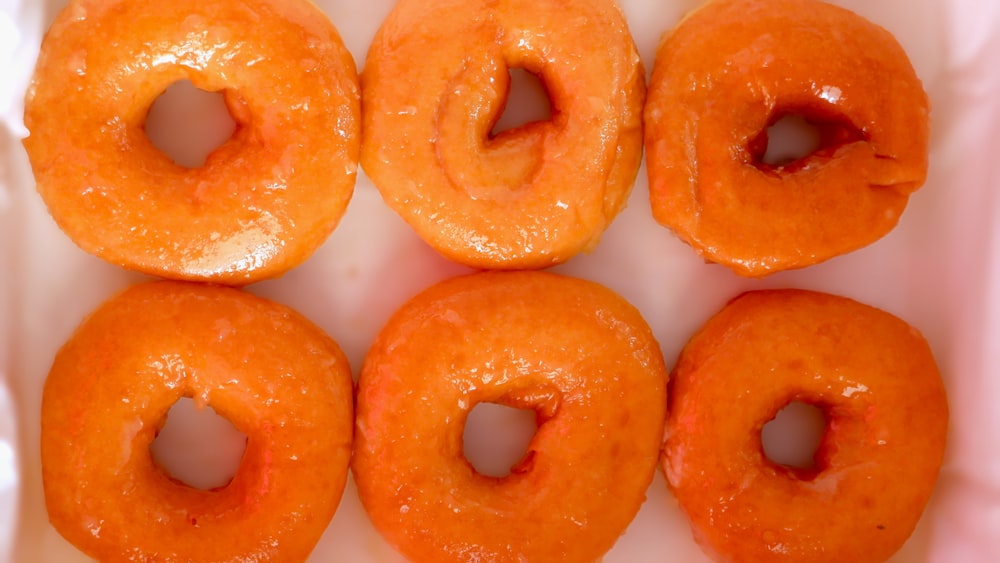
x=571, y=350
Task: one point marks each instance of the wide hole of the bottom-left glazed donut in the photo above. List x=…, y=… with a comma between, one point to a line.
x=197, y=446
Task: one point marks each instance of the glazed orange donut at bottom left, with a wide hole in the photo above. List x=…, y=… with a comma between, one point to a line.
x=275, y=376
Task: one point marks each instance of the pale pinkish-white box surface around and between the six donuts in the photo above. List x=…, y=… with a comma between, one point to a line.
x=939, y=270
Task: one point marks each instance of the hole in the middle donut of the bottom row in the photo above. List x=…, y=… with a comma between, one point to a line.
x=496, y=438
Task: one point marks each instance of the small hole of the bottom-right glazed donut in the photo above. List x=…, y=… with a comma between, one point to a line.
x=793, y=437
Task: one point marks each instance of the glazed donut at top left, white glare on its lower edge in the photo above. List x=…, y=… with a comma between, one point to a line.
x=263, y=201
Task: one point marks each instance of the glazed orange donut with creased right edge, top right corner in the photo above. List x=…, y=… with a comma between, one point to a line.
x=734, y=67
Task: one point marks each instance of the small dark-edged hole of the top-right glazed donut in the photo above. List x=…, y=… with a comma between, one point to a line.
x=792, y=137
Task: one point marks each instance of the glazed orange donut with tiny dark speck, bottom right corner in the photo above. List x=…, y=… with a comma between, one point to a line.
x=872, y=376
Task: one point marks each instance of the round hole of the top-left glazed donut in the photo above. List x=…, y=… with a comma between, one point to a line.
x=186, y=123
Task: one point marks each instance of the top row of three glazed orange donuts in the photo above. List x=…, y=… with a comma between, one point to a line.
x=419, y=122
